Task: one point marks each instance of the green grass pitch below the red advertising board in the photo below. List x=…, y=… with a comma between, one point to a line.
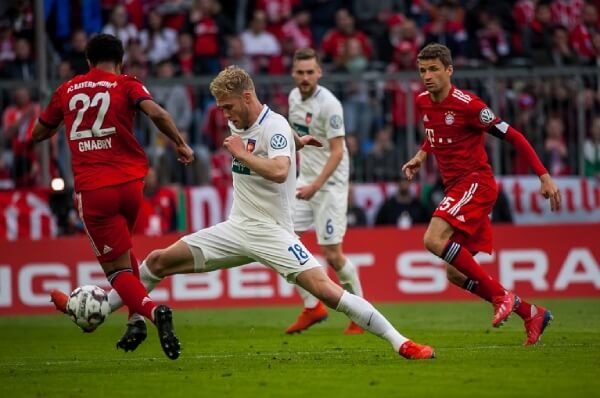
x=244, y=353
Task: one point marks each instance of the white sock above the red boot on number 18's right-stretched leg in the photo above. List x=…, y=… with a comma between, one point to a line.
x=367, y=317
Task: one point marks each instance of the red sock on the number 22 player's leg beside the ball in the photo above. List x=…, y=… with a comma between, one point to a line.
x=132, y=292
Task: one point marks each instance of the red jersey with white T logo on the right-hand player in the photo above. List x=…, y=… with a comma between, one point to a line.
x=454, y=130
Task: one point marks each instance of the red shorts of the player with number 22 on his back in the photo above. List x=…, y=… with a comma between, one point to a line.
x=109, y=215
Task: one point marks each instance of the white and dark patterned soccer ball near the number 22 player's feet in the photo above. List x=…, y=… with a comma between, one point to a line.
x=88, y=307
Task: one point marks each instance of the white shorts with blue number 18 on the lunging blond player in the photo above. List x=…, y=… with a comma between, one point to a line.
x=233, y=243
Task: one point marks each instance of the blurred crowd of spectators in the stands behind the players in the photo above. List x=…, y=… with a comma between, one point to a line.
x=167, y=39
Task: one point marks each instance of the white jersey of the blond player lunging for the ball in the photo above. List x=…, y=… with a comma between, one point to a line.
x=255, y=197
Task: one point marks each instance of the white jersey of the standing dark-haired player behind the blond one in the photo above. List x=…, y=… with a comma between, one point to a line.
x=321, y=116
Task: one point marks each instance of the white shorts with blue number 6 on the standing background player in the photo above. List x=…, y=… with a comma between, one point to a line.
x=326, y=210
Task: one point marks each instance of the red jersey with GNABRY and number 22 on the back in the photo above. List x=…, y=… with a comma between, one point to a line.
x=98, y=110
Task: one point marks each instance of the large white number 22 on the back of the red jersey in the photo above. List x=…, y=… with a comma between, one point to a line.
x=96, y=130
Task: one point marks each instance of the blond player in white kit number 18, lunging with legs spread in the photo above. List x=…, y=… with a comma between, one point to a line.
x=260, y=226
